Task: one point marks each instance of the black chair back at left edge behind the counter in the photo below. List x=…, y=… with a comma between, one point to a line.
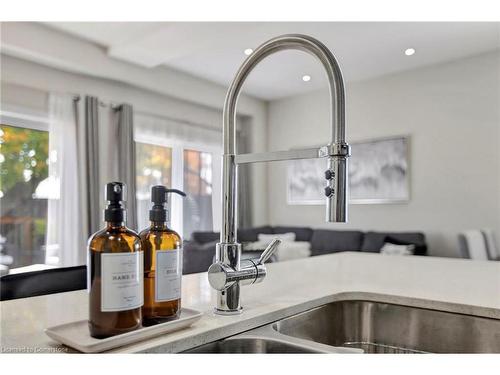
x=31, y=284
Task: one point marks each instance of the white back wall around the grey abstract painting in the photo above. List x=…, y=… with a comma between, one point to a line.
x=451, y=112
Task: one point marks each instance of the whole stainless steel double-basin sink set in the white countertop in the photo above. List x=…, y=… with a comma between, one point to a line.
x=367, y=327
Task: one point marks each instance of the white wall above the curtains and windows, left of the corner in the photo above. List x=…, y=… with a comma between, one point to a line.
x=36, y=60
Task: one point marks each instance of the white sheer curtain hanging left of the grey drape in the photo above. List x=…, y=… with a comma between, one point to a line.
x=63, y=224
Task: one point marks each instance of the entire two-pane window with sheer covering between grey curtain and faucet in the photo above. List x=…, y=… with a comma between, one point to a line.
x=188, y=157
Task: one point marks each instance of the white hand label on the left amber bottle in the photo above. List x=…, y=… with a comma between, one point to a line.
x=122, y=284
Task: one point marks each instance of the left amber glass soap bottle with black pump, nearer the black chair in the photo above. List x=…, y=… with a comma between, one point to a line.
x=114, y=271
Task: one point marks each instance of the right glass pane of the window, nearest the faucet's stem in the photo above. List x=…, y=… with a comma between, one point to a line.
x=197, y=206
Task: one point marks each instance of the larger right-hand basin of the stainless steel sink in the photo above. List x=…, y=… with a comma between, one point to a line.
x=386, y=328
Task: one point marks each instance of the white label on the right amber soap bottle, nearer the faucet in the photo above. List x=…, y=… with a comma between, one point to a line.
x=168, y=275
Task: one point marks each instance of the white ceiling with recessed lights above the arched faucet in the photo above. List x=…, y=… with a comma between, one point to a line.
x=214, y=51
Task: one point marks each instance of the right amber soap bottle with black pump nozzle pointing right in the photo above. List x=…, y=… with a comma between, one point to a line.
x=162, y=248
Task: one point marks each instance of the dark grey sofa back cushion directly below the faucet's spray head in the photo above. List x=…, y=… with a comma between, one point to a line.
x=332, y=241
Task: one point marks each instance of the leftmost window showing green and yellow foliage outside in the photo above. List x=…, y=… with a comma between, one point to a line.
x=23, y=209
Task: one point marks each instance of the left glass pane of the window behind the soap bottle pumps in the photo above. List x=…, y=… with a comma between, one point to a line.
x=154, y=167
